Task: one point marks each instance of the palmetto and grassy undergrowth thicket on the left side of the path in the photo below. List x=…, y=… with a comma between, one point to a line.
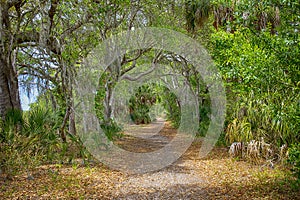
x=30, y=138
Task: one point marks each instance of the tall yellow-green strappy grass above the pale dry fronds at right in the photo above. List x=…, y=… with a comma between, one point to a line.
x=275, y=119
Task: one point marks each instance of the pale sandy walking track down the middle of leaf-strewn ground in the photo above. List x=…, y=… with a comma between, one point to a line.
x=165, y=183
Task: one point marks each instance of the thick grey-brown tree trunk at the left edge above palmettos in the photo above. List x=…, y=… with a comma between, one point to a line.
x=9, y=88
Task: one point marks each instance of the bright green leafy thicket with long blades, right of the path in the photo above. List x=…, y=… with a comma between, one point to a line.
x=262, y=89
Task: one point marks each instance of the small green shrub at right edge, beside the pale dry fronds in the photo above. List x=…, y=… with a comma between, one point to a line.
x=294, y=159
